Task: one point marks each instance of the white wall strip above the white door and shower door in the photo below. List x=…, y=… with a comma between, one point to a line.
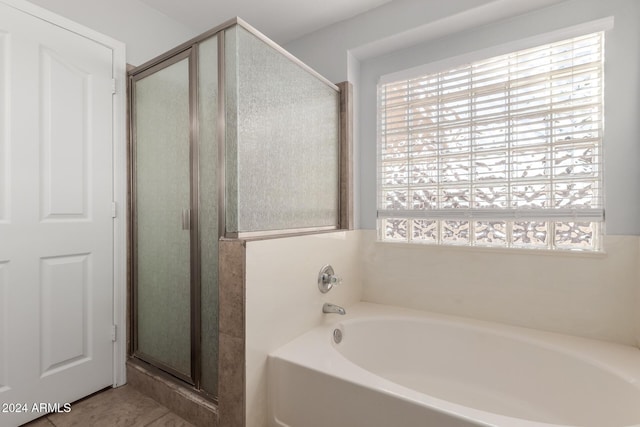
x=146, y=32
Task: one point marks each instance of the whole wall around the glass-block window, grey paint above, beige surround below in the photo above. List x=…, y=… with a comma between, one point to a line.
x=594, y=296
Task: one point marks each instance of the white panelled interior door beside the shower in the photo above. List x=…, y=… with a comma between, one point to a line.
x=56, y=231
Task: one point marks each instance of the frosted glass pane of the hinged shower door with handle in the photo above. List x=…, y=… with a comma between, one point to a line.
x=162, y=192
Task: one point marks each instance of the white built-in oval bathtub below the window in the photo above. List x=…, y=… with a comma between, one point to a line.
x=404, y=368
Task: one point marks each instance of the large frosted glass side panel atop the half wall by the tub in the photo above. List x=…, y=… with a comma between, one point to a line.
x=284, y=151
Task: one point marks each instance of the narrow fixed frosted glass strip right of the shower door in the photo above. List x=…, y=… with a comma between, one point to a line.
x=208, y=110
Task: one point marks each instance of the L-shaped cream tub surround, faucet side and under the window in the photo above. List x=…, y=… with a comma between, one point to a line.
x=578, y=295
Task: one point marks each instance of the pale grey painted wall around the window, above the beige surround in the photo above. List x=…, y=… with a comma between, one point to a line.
x=447, y=30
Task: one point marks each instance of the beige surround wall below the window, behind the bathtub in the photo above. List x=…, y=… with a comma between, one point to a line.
x=595, y=296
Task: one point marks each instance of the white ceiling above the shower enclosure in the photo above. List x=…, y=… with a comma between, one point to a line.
x=282, y=20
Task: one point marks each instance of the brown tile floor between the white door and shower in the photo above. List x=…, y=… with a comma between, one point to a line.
x=119, y=407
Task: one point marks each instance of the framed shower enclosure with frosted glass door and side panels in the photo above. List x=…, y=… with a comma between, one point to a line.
x=231, y=137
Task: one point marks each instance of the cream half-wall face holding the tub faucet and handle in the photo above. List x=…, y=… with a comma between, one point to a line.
x=282, y=299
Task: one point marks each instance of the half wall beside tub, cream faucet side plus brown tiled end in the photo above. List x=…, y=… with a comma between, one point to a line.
x=268, y=295
